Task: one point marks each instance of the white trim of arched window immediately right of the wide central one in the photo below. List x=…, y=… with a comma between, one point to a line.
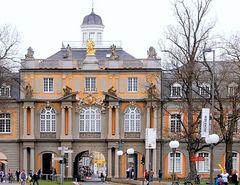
x=135, y=113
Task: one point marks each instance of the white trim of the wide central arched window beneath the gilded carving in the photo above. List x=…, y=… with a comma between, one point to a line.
x=97, y=111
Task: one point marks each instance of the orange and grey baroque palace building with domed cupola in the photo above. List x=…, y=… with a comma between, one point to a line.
x=86, y=102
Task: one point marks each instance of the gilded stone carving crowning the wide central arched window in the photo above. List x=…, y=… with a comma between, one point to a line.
x=89, y=101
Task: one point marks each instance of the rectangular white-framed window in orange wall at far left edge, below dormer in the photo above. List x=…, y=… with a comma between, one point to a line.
x=5, y=123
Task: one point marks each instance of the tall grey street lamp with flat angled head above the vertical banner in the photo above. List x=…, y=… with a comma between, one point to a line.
x=207, y=50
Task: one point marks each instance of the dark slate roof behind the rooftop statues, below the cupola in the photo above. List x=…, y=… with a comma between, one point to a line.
x=101, y=53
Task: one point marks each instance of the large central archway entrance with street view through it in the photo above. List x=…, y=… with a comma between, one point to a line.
x=89, y=165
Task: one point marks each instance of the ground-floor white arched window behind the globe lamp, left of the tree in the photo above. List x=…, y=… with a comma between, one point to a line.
x=177, y=164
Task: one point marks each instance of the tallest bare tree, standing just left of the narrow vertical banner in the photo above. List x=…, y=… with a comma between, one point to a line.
x=183, y=49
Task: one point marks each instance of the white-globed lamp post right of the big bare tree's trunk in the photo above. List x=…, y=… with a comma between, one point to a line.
x=211, y=140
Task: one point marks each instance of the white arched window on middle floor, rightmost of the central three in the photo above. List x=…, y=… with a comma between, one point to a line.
x=132, y=119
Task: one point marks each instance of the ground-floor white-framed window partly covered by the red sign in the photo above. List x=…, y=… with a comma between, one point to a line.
x=203, y=166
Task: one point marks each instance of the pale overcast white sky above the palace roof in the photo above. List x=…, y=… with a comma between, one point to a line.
x=138, y=24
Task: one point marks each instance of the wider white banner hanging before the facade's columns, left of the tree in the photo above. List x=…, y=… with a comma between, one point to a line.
x=151, y=134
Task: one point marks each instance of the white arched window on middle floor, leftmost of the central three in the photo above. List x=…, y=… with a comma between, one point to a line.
x=48, y=120
